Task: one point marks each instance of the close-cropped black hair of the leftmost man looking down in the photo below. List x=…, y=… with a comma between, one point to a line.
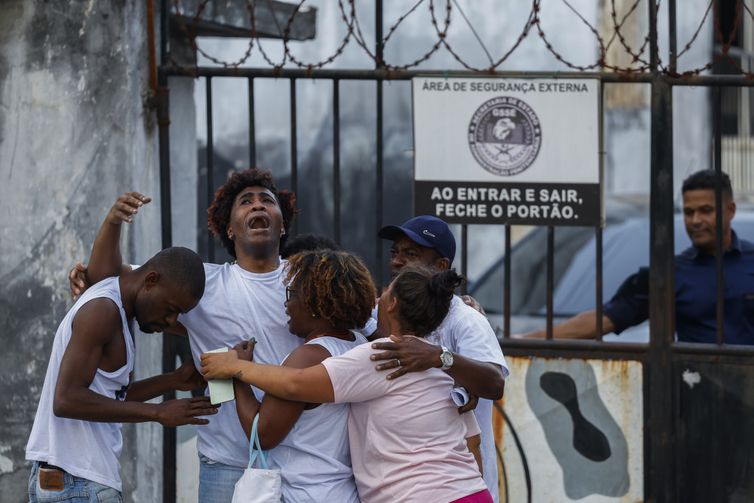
x=182, y=267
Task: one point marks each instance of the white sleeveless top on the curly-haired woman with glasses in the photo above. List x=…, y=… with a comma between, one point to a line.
x=314, y=458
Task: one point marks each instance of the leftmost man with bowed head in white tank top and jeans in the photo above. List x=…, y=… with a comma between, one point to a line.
x=75, y=441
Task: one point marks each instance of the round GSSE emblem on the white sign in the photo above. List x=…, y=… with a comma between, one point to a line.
x=505, y=135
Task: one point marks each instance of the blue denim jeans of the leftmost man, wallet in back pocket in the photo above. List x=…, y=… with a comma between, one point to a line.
x=75, y=490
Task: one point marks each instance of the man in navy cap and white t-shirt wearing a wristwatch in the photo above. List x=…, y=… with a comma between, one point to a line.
x=464, y=345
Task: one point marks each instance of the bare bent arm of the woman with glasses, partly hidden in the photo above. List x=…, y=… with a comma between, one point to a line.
x=276, y=415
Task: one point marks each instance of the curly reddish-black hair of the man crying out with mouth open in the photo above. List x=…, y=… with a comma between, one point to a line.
x=218, y=214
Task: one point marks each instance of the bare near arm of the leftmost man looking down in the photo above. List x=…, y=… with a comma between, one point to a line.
x=96, y=326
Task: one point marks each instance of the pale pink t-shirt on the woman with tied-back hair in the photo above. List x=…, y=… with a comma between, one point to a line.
x=407, y=438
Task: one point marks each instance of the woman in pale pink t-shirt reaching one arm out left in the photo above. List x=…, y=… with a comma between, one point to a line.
x=407, y=439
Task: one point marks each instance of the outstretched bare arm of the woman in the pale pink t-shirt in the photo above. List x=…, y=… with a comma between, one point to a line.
x=310, y=385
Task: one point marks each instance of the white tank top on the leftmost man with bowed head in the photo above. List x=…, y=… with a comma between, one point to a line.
x=83, y=448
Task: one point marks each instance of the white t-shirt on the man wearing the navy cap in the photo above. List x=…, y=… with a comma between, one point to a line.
x=467, y=332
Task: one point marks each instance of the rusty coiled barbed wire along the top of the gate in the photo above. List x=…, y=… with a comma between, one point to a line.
x=442, y=16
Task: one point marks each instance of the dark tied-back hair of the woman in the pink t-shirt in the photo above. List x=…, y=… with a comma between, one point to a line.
x=424, y=297
